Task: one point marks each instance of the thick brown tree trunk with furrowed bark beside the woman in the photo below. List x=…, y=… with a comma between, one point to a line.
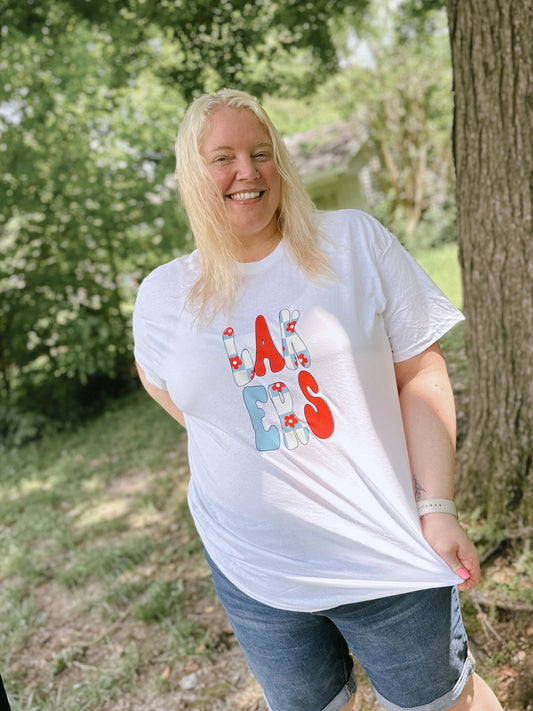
x=492, y=54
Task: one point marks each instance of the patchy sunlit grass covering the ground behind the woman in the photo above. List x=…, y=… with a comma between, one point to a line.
x=105, y=597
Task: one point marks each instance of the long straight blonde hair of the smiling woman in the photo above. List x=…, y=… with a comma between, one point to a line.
x=215, y=241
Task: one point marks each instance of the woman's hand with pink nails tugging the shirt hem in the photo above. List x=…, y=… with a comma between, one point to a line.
x=448, y=539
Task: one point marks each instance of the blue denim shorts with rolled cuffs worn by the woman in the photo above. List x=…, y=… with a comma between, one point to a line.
x=413, y=648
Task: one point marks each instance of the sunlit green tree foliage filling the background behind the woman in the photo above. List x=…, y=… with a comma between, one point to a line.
x=90, y=101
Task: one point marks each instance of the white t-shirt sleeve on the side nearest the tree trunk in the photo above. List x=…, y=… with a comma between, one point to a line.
x=417, y=313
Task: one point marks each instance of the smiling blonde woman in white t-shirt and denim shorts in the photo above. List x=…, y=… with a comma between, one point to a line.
x=301, y=353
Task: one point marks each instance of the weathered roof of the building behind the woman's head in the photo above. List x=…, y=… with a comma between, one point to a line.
x=326, y=149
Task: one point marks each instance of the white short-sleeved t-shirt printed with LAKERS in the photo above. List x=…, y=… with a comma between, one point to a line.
x=301, y=488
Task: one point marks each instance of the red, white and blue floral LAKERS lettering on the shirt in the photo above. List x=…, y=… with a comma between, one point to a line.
x=296, y=429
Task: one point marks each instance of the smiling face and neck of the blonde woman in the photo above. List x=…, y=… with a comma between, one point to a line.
x=240, y=157
